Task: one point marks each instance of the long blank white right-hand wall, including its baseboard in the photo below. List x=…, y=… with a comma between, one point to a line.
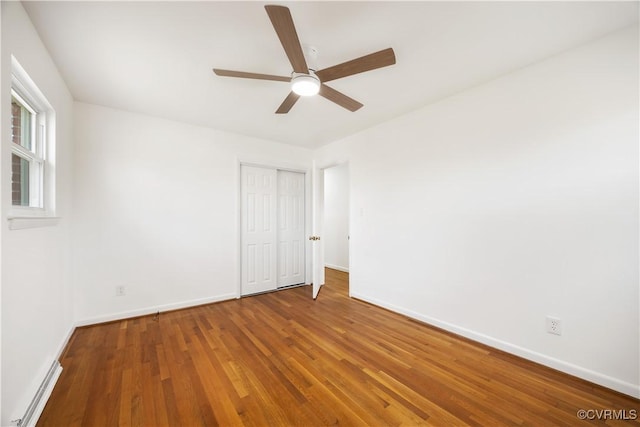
x=509, y=202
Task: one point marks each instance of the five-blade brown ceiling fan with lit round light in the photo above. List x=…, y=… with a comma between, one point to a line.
x=305, y=81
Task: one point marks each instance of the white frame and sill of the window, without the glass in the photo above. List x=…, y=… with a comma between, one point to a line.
x=41, y=157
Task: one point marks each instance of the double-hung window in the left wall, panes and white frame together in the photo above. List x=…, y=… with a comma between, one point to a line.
x=31, y=137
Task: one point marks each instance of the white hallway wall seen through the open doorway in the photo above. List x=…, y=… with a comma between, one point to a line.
x=336, y=217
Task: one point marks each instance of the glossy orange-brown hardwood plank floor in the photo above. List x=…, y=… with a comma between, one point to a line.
x=284, y=359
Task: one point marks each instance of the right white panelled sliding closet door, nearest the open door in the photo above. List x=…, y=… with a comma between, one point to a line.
x=291, y=231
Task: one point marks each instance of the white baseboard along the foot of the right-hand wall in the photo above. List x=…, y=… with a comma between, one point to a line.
x=560, y=365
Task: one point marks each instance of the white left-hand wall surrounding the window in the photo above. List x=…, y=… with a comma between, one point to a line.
x=36, y=292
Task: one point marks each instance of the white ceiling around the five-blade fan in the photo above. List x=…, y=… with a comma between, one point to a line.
x=156, y=57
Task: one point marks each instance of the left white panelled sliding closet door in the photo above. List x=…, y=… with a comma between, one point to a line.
x=259, y=231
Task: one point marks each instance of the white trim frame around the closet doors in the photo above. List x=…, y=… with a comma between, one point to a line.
x=307, y=215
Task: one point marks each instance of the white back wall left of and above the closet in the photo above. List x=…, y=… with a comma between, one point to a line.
x=156, y=211
